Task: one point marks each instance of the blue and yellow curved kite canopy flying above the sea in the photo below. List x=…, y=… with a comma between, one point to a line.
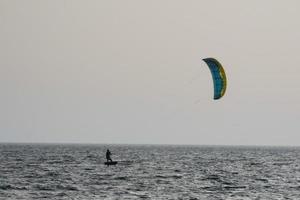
x=218, y=75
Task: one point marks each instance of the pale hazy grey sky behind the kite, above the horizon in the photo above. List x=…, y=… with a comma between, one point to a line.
x=131, y=72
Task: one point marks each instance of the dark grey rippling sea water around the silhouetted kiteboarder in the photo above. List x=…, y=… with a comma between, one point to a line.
x=148, y=172
